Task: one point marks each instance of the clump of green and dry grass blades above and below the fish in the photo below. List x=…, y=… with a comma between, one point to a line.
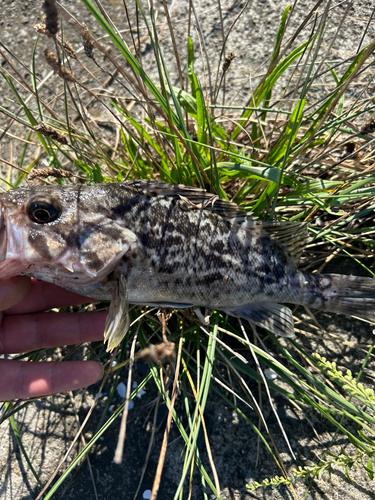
x=297, y=145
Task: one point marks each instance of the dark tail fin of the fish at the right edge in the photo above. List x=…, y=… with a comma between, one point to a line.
x=350, y=295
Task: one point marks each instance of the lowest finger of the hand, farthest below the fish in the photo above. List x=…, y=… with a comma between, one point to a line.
x=21, y=379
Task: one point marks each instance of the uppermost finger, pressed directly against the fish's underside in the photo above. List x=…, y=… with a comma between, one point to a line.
x=44, y=296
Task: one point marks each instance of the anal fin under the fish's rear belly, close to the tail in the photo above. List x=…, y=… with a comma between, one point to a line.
x=276, y=318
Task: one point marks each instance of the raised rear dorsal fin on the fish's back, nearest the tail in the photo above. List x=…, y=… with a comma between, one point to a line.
x=289, y=237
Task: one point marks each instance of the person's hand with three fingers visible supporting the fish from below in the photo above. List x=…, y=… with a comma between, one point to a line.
x=25, y=327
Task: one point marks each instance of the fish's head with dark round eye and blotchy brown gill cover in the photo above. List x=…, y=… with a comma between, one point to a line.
x=60, y=234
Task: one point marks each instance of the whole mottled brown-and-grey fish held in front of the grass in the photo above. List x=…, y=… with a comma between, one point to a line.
x=167, y=245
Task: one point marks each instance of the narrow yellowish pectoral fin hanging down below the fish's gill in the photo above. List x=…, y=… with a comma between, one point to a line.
x=117, y=322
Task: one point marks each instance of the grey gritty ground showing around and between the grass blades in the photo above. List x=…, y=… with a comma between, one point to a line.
x=48, y=426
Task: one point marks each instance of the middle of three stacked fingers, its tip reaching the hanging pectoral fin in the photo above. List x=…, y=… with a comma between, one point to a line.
x=27, y=332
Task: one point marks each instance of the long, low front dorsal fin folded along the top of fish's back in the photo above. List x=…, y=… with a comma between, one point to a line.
x=195, y=198
